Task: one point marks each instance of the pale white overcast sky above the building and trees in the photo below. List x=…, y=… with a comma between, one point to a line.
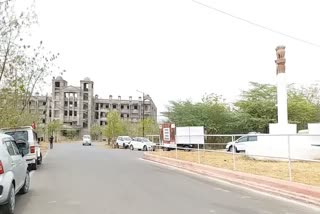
x=179, y=49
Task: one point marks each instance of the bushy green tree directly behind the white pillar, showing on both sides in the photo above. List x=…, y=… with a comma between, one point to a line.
x=257, y=107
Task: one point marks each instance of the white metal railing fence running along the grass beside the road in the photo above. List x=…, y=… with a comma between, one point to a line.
x=288, y=166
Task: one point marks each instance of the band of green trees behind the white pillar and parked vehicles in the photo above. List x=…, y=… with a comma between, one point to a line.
x=255, y=109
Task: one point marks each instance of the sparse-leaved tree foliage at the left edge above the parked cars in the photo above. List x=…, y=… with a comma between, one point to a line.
x=24, y=67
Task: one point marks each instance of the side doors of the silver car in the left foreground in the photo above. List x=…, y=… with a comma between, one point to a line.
x=16, y=163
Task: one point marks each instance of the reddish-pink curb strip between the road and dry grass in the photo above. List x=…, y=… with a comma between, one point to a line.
x=291, y=190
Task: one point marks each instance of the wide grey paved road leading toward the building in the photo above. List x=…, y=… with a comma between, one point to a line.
x=81, y=180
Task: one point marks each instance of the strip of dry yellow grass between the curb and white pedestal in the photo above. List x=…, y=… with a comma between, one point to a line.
x=302, y=172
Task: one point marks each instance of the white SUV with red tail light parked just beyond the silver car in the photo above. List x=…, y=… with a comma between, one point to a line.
x=29, y=140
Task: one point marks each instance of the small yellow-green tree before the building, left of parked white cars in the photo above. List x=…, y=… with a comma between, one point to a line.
x=114, y=127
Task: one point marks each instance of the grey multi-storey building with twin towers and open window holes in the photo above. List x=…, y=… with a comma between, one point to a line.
x=79, y=108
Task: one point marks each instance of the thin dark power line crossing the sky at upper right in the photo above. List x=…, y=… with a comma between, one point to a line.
x=257, y=25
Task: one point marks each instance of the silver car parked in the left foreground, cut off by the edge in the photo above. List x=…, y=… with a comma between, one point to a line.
x=14, y=174
